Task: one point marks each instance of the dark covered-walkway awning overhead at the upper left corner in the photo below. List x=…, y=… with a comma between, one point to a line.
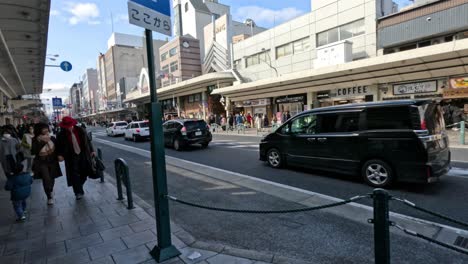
x=23, y=41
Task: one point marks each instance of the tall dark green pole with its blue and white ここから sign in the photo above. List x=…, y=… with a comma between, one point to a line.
x=155, y=15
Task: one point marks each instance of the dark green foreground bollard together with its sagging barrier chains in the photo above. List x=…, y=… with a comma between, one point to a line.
x=381, y=220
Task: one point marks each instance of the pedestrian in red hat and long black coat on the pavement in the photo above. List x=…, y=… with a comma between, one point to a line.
x=75, y=148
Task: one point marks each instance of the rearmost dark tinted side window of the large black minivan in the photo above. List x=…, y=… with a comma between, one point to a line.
x=389, y=118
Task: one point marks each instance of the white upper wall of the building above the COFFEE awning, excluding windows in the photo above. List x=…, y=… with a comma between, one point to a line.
x=326, y=14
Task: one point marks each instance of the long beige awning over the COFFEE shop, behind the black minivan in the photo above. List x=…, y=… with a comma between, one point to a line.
x=448, y=59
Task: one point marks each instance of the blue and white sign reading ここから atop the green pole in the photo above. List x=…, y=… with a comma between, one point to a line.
x=154, y=15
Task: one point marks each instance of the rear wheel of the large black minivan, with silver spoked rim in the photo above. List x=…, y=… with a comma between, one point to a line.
x=377, y=173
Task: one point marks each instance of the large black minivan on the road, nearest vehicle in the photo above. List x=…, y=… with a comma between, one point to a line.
x=384, y=142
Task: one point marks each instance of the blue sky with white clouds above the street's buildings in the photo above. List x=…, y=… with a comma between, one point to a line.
x=79, y=30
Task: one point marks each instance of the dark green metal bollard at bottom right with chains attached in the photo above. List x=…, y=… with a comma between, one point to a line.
x=381, y=223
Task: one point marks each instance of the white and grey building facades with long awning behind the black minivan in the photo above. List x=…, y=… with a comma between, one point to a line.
x=353, y=51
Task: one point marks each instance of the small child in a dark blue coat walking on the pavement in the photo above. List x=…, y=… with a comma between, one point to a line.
x=19, y=184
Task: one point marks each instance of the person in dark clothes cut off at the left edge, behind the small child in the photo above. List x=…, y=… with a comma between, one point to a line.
x=9, y=147
